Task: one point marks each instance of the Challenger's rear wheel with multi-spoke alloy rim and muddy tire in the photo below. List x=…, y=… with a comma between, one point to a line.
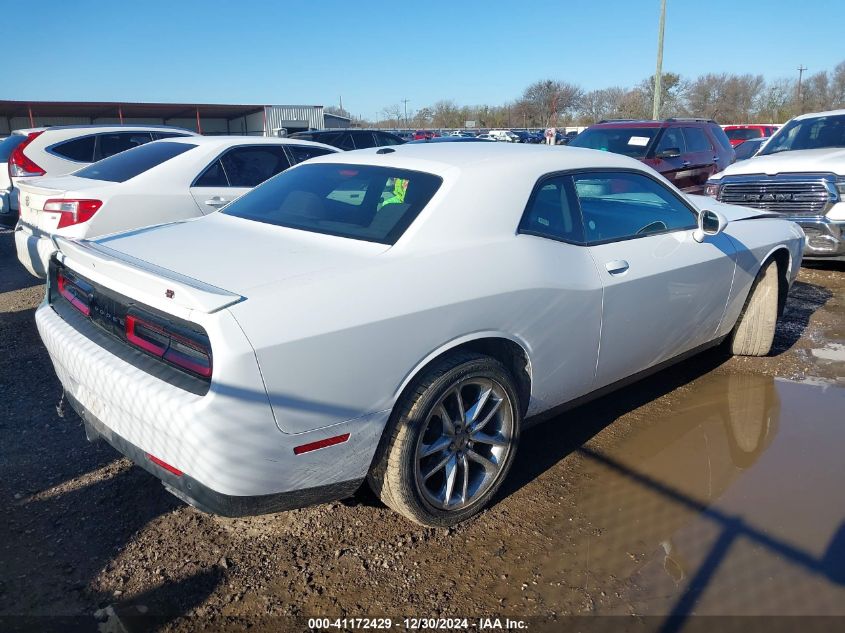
x=451, y=441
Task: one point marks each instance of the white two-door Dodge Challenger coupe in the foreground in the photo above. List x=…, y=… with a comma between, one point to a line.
x=395, y=315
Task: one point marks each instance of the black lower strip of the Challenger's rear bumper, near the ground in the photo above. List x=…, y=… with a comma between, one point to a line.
x=202, y=497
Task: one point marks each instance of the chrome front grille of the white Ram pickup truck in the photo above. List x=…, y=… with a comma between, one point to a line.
x=790, y=196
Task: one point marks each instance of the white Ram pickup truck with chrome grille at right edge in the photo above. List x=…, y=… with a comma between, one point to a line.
x=799, y=174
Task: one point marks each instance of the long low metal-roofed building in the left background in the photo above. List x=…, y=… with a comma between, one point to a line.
x=207, y=118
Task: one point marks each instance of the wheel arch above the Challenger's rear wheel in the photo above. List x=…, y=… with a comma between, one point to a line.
x=509, y=350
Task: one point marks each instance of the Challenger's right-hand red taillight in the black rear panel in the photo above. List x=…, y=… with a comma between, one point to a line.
x=191, y=353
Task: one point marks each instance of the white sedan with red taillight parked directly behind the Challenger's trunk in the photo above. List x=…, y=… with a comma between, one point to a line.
x=162, y=181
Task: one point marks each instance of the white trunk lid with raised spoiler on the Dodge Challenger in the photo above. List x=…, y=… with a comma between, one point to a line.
x=211, y=262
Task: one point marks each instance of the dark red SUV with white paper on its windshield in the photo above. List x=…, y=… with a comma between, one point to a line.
x=686, y=151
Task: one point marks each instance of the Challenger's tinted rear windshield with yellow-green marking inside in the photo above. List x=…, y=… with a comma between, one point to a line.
x=375, y=204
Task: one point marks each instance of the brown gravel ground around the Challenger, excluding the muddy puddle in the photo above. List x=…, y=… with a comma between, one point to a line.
x=85, y=531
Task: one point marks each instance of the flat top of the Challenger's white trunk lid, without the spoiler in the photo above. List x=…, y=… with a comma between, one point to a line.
x=236, y=254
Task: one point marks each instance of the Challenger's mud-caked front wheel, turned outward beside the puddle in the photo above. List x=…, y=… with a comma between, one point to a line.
x=755, y=330
